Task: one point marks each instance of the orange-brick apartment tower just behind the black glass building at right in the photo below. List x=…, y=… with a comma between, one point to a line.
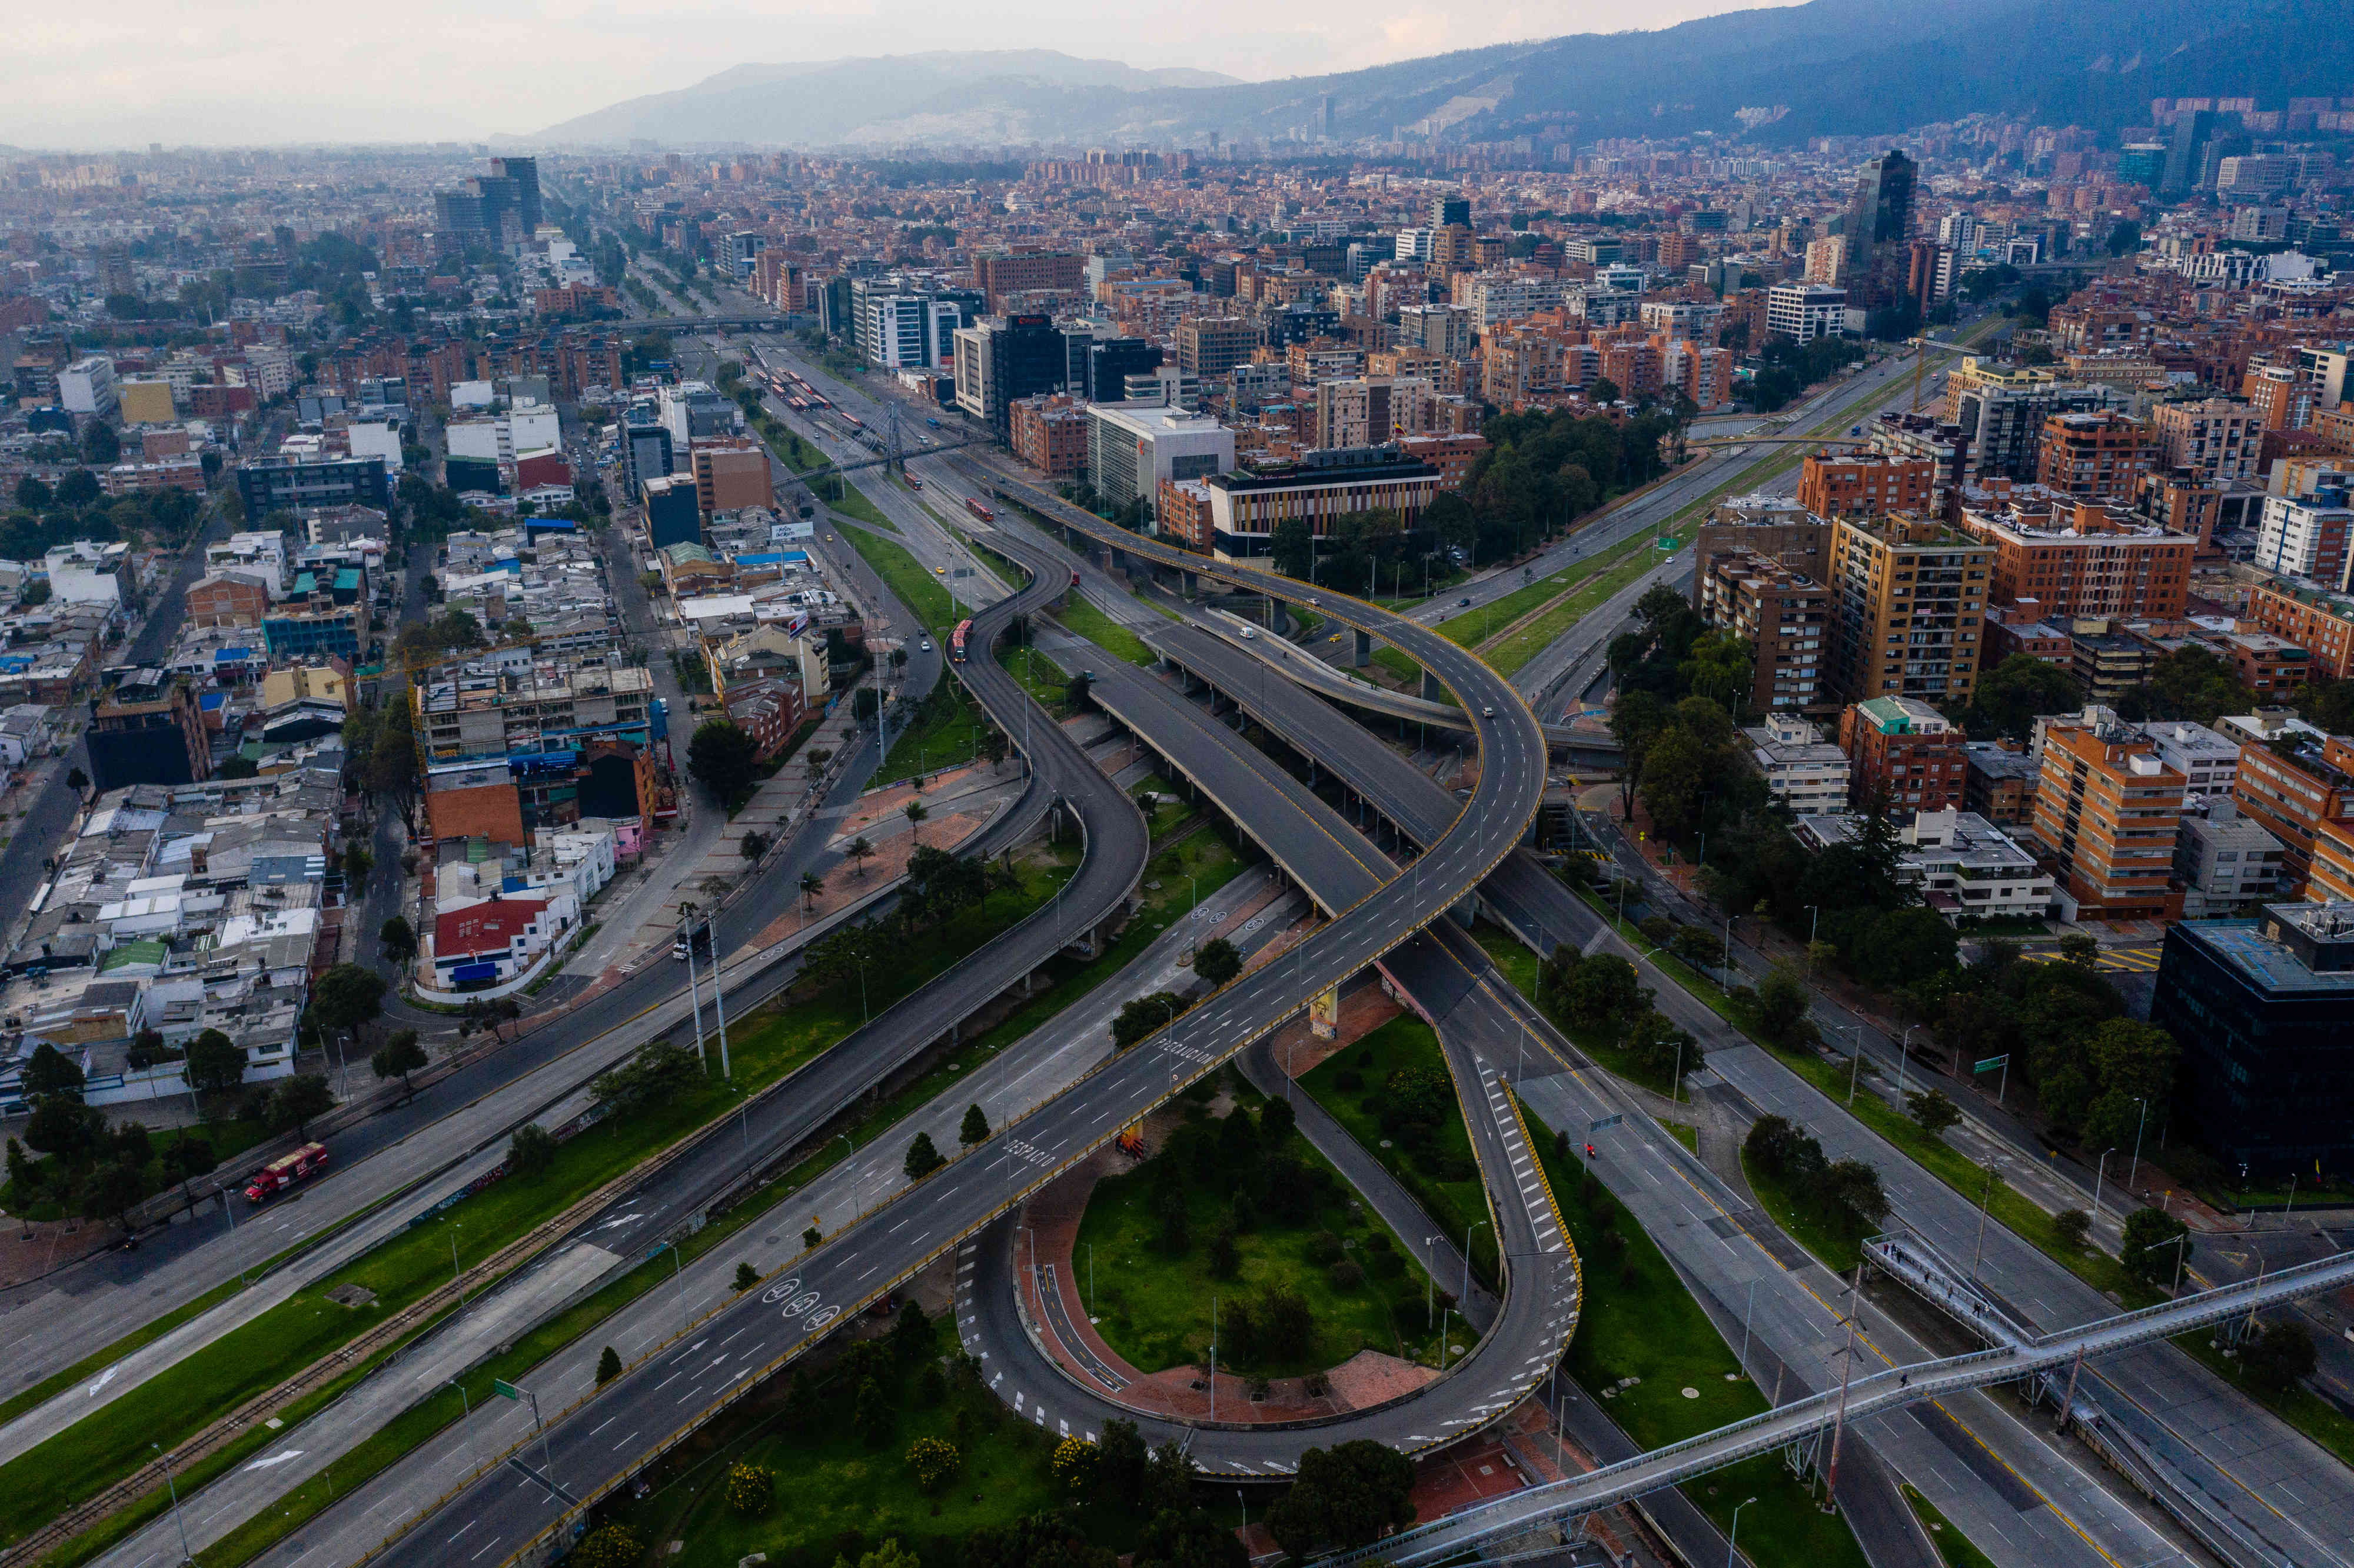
x=2108, y=809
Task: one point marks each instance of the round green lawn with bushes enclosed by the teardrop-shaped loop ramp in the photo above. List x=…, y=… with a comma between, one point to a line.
x=1155, y=1308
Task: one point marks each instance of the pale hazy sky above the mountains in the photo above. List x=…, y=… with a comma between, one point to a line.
x=244, y=72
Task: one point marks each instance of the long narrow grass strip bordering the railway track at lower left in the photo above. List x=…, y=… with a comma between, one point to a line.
x=258, y=1355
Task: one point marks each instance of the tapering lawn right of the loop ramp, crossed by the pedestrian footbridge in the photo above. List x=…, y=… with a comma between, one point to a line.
x=1640, y=1322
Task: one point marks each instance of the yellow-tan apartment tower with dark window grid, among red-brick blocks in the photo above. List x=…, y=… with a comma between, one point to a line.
x=1913, y=604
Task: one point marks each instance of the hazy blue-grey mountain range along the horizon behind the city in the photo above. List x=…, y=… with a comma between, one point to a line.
x=1830, y=67
